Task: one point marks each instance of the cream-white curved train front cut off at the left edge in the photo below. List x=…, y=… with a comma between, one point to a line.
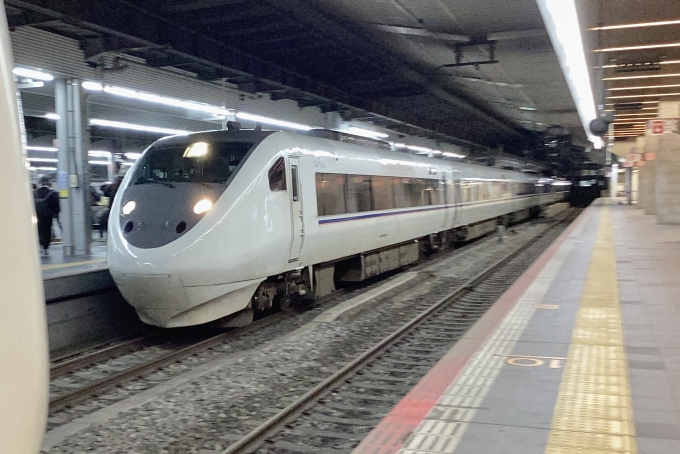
x=24, y=364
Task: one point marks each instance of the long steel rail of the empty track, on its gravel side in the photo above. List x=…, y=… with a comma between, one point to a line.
x=257, y=436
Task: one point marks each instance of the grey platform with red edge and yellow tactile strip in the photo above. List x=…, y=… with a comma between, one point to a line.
x=580, y=355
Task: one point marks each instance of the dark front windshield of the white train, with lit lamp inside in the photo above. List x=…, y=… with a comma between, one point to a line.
x=195, y=162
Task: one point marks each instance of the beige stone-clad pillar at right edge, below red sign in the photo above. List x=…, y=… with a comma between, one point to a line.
x=668, y=179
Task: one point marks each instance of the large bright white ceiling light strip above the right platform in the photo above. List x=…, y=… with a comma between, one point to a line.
x=562, y=24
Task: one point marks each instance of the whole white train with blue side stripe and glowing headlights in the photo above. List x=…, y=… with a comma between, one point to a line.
x=218, y=223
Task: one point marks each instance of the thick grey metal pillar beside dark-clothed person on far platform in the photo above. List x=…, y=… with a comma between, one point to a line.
x=73, y=179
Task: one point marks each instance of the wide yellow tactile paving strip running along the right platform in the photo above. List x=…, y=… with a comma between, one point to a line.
x=593, y=413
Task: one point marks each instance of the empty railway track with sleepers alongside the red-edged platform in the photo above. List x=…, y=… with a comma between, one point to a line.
x=336, y=414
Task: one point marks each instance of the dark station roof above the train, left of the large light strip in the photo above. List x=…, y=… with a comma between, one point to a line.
x=483, y=72
